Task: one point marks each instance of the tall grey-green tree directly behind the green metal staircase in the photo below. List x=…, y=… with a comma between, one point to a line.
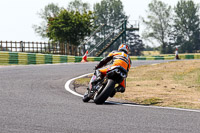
x=111, y=14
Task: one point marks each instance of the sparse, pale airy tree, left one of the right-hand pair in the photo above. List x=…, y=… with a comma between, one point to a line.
x=158, y=24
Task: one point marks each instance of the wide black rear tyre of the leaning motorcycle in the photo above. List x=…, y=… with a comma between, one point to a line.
x=103, y=95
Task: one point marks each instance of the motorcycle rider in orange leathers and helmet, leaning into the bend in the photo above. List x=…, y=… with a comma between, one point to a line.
x=118, y=58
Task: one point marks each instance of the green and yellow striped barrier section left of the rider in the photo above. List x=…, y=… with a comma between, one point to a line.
x=17, y=58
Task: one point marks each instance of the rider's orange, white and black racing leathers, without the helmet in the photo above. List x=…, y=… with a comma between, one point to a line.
x=119, y=58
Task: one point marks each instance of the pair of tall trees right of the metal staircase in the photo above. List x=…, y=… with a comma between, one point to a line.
x=173, y=27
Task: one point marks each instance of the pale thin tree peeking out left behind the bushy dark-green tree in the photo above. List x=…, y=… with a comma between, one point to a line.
x=51, y=10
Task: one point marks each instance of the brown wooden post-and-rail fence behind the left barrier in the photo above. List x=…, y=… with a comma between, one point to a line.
x=40, y=47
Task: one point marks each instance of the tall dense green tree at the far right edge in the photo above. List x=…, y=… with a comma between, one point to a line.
x=187, y=26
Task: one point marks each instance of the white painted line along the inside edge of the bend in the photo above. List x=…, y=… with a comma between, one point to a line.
x=132, y=105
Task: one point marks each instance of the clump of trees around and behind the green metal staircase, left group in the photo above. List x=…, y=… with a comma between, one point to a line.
x=75, y=22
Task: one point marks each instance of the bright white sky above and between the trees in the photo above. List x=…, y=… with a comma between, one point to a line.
x=18, y=16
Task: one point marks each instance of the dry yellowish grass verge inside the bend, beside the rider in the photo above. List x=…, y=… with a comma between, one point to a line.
x=173, y=84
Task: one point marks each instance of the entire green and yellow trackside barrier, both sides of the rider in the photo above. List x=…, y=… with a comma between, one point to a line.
x=32, y=58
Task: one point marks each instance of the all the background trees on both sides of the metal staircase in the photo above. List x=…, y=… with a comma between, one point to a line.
x=170, y=27
